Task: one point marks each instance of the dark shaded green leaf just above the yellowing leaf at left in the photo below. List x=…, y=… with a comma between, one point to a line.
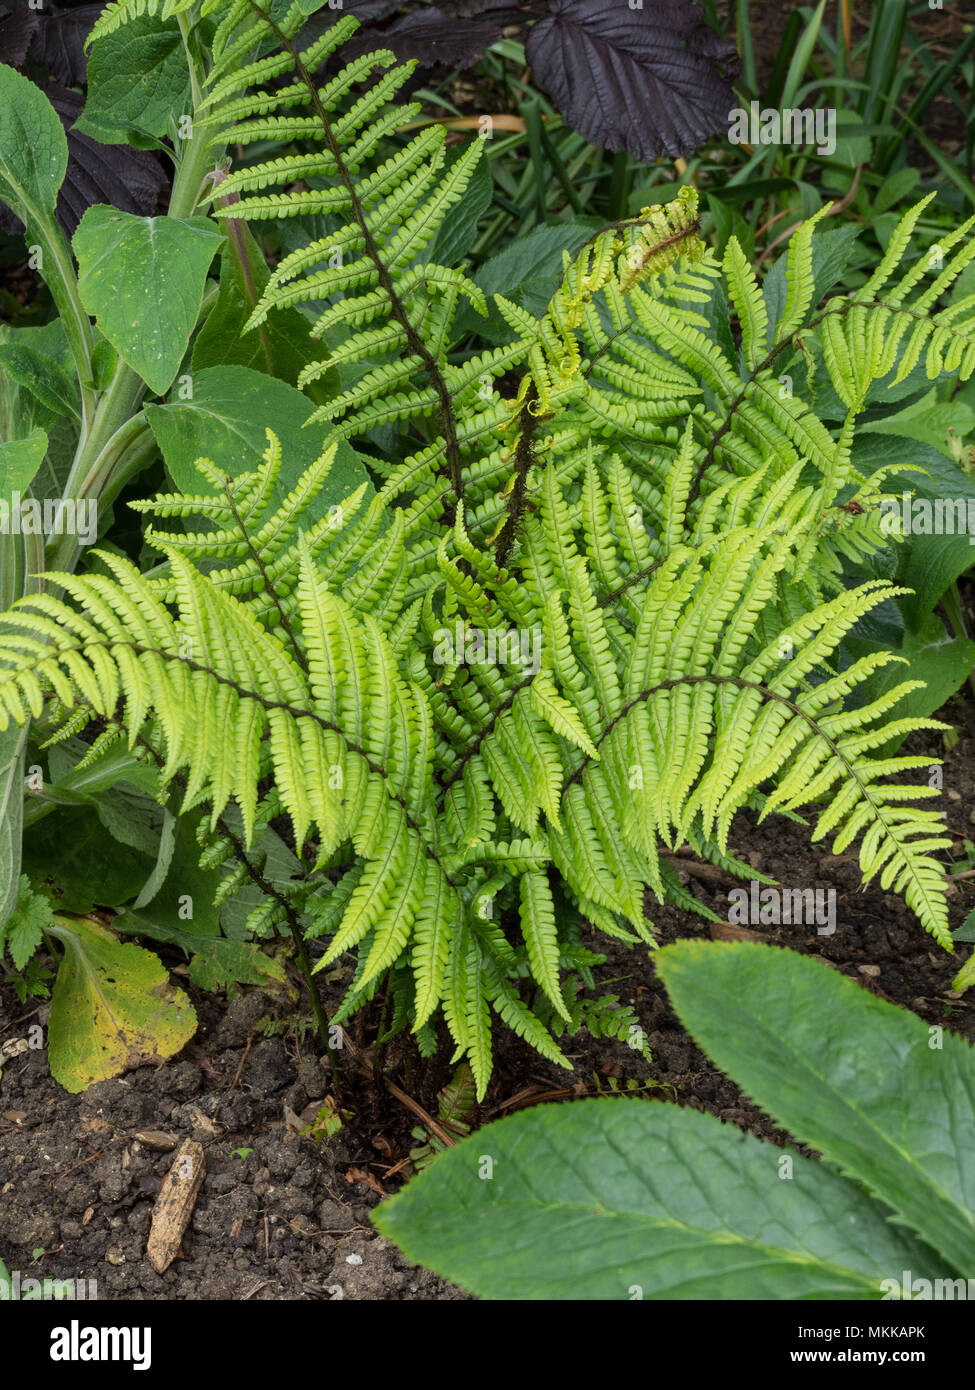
x=73, y=858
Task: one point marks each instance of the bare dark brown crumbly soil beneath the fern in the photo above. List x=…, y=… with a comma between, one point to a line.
x=290, y=1218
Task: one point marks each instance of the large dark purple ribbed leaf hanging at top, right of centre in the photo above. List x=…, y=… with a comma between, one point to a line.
x=650, y=81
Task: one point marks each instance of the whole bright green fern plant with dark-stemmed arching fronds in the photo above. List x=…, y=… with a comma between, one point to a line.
x=585, y=619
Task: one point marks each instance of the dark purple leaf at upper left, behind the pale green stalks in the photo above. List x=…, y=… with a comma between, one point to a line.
x=131, y=180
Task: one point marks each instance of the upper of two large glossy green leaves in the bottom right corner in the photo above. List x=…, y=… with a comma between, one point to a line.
x=864, y=1084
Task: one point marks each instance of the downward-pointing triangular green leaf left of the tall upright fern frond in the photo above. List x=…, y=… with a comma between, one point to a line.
x=143, y=279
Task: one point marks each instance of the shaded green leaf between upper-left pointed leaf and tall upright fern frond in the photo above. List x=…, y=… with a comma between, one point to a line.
x=280, y=348
